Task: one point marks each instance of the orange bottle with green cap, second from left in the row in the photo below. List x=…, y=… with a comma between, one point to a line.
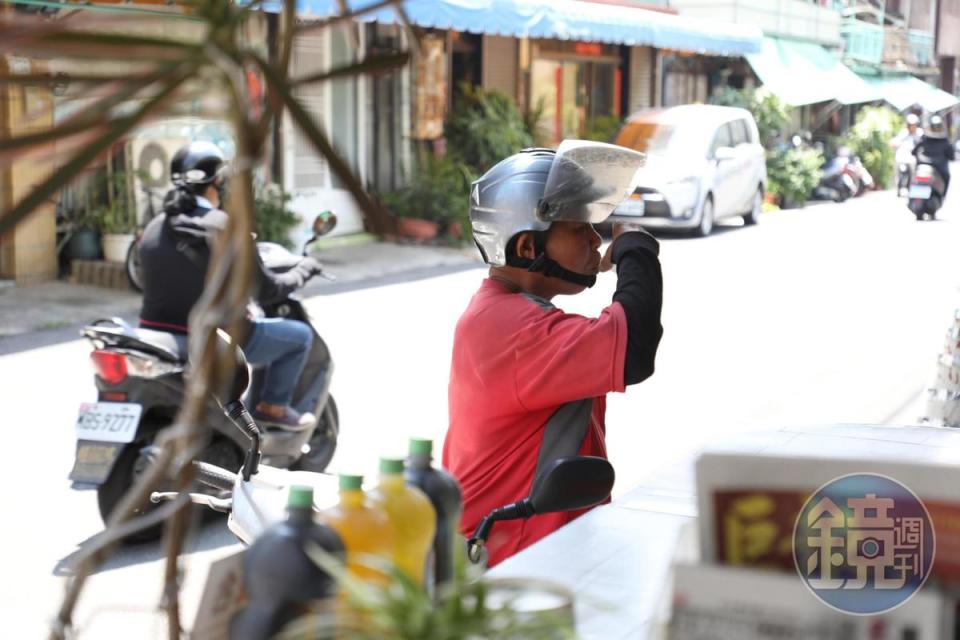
x=364, y=528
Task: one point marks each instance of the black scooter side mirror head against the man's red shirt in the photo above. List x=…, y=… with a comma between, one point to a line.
x=572, y=483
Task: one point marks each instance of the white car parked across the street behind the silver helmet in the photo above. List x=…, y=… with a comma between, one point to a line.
x=704, y=163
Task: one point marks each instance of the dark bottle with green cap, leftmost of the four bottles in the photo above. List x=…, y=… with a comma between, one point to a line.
x=280, y=578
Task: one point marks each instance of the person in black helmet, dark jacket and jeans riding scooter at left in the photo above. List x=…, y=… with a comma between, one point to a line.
x=175, y=253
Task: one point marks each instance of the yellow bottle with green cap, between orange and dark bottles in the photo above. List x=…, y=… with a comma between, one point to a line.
x=413, y=516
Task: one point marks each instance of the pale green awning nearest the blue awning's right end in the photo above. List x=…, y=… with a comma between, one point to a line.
x=801, y=73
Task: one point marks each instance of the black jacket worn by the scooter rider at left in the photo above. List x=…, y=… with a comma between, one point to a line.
x=174, y=256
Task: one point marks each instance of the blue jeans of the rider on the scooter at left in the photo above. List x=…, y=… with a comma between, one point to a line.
x=283, y=346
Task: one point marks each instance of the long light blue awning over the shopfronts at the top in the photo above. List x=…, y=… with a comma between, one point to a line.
x=564, y=20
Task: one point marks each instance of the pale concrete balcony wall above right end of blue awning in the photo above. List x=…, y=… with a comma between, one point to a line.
x=786, y=18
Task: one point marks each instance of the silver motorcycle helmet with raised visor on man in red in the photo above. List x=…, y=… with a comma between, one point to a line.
x=582, y=181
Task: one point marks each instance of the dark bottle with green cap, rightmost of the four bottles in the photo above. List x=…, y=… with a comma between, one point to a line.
x=444, y=492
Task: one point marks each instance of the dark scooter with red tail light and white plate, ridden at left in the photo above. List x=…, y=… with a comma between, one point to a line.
x=140, y=378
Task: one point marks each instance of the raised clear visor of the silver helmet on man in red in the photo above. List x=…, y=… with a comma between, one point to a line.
x=587, y=181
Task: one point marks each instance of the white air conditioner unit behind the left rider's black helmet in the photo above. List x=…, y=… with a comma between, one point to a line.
x=148, y=161
